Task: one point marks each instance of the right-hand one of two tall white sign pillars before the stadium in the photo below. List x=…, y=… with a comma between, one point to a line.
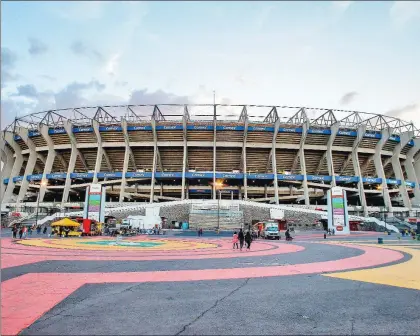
x=337, y=211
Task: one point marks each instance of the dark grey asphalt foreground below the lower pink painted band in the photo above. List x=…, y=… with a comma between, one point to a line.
x=294, y=305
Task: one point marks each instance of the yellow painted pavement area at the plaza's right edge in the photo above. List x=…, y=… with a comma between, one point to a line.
x=405, y=275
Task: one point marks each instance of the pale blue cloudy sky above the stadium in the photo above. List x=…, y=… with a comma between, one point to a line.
x=362, y=56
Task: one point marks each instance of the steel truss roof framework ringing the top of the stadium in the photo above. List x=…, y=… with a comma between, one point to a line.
x=315, y=117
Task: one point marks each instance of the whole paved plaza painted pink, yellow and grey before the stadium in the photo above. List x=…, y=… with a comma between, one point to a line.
x=171, y=285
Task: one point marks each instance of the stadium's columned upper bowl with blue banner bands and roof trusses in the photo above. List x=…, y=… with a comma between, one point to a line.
x=172, y=152
